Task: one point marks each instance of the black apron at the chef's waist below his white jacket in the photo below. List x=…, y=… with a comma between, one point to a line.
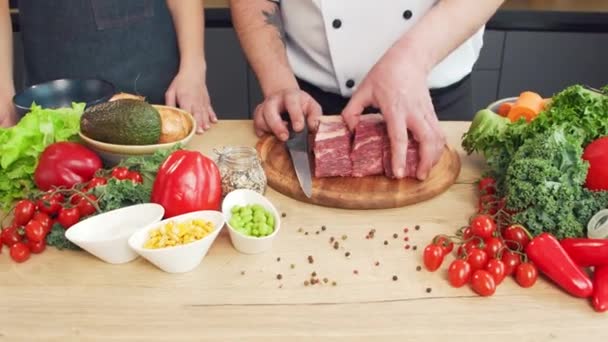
x=452, y=103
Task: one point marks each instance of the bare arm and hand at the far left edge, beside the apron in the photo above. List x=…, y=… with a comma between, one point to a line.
x=7, y=87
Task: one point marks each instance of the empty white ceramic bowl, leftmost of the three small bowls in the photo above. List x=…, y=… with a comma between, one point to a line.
x=106, y=235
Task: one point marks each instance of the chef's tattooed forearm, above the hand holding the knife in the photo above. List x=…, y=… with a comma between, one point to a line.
x=259, y=27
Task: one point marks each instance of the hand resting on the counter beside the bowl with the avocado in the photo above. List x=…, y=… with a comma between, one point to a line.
x=189, y=91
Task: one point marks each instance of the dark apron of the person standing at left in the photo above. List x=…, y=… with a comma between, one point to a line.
x=131, y=43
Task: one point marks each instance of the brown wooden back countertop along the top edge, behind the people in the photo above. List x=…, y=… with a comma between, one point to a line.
x=526, y=5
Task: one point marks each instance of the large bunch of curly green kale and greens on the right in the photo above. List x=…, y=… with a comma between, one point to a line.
x=538, y=166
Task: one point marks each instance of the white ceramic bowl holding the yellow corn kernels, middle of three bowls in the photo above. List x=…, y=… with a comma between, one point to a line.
x=182, y=258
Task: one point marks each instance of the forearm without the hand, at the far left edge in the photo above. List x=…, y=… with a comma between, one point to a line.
x=7, y=86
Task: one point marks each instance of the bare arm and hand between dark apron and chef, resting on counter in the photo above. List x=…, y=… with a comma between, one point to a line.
x=189, y=89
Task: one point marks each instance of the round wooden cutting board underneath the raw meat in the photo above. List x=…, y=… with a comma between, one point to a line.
x=373, y=192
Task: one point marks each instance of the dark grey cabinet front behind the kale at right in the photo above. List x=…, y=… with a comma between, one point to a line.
x=547, y=62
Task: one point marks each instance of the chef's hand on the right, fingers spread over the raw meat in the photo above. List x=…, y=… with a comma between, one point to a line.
x=398, y=87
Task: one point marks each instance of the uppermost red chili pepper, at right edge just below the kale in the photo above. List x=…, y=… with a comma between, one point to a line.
x=587, y=252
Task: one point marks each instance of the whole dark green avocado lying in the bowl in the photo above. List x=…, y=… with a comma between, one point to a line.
x=122, y=122
